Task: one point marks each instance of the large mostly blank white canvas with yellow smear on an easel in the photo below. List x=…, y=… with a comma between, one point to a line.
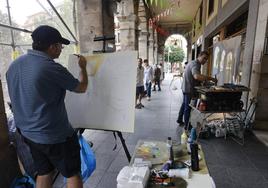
x=109, y=102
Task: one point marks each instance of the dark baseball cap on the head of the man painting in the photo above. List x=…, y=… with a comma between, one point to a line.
x=45, y=34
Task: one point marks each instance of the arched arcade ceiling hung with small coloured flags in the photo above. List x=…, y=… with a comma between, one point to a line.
x=171, y=17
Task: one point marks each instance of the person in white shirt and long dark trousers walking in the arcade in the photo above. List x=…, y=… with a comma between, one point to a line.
x=148, y=78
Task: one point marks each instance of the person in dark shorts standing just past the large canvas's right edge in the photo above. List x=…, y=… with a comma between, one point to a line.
x=139, y=85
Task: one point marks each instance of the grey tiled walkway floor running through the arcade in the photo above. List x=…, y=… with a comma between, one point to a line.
x=230, y=164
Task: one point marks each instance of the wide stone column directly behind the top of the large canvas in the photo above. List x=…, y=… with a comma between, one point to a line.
x=95, y=18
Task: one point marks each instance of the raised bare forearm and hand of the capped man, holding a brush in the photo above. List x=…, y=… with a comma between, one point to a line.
x=83, y=78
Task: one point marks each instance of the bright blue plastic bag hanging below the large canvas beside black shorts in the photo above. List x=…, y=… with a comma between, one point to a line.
x=88, y=160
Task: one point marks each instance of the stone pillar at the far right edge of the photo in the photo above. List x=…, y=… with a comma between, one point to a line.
x=259, y=71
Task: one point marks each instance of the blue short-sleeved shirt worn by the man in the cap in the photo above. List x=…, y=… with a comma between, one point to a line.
x=37, y=86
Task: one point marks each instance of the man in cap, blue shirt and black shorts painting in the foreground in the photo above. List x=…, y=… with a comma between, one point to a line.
x=37, y=86
